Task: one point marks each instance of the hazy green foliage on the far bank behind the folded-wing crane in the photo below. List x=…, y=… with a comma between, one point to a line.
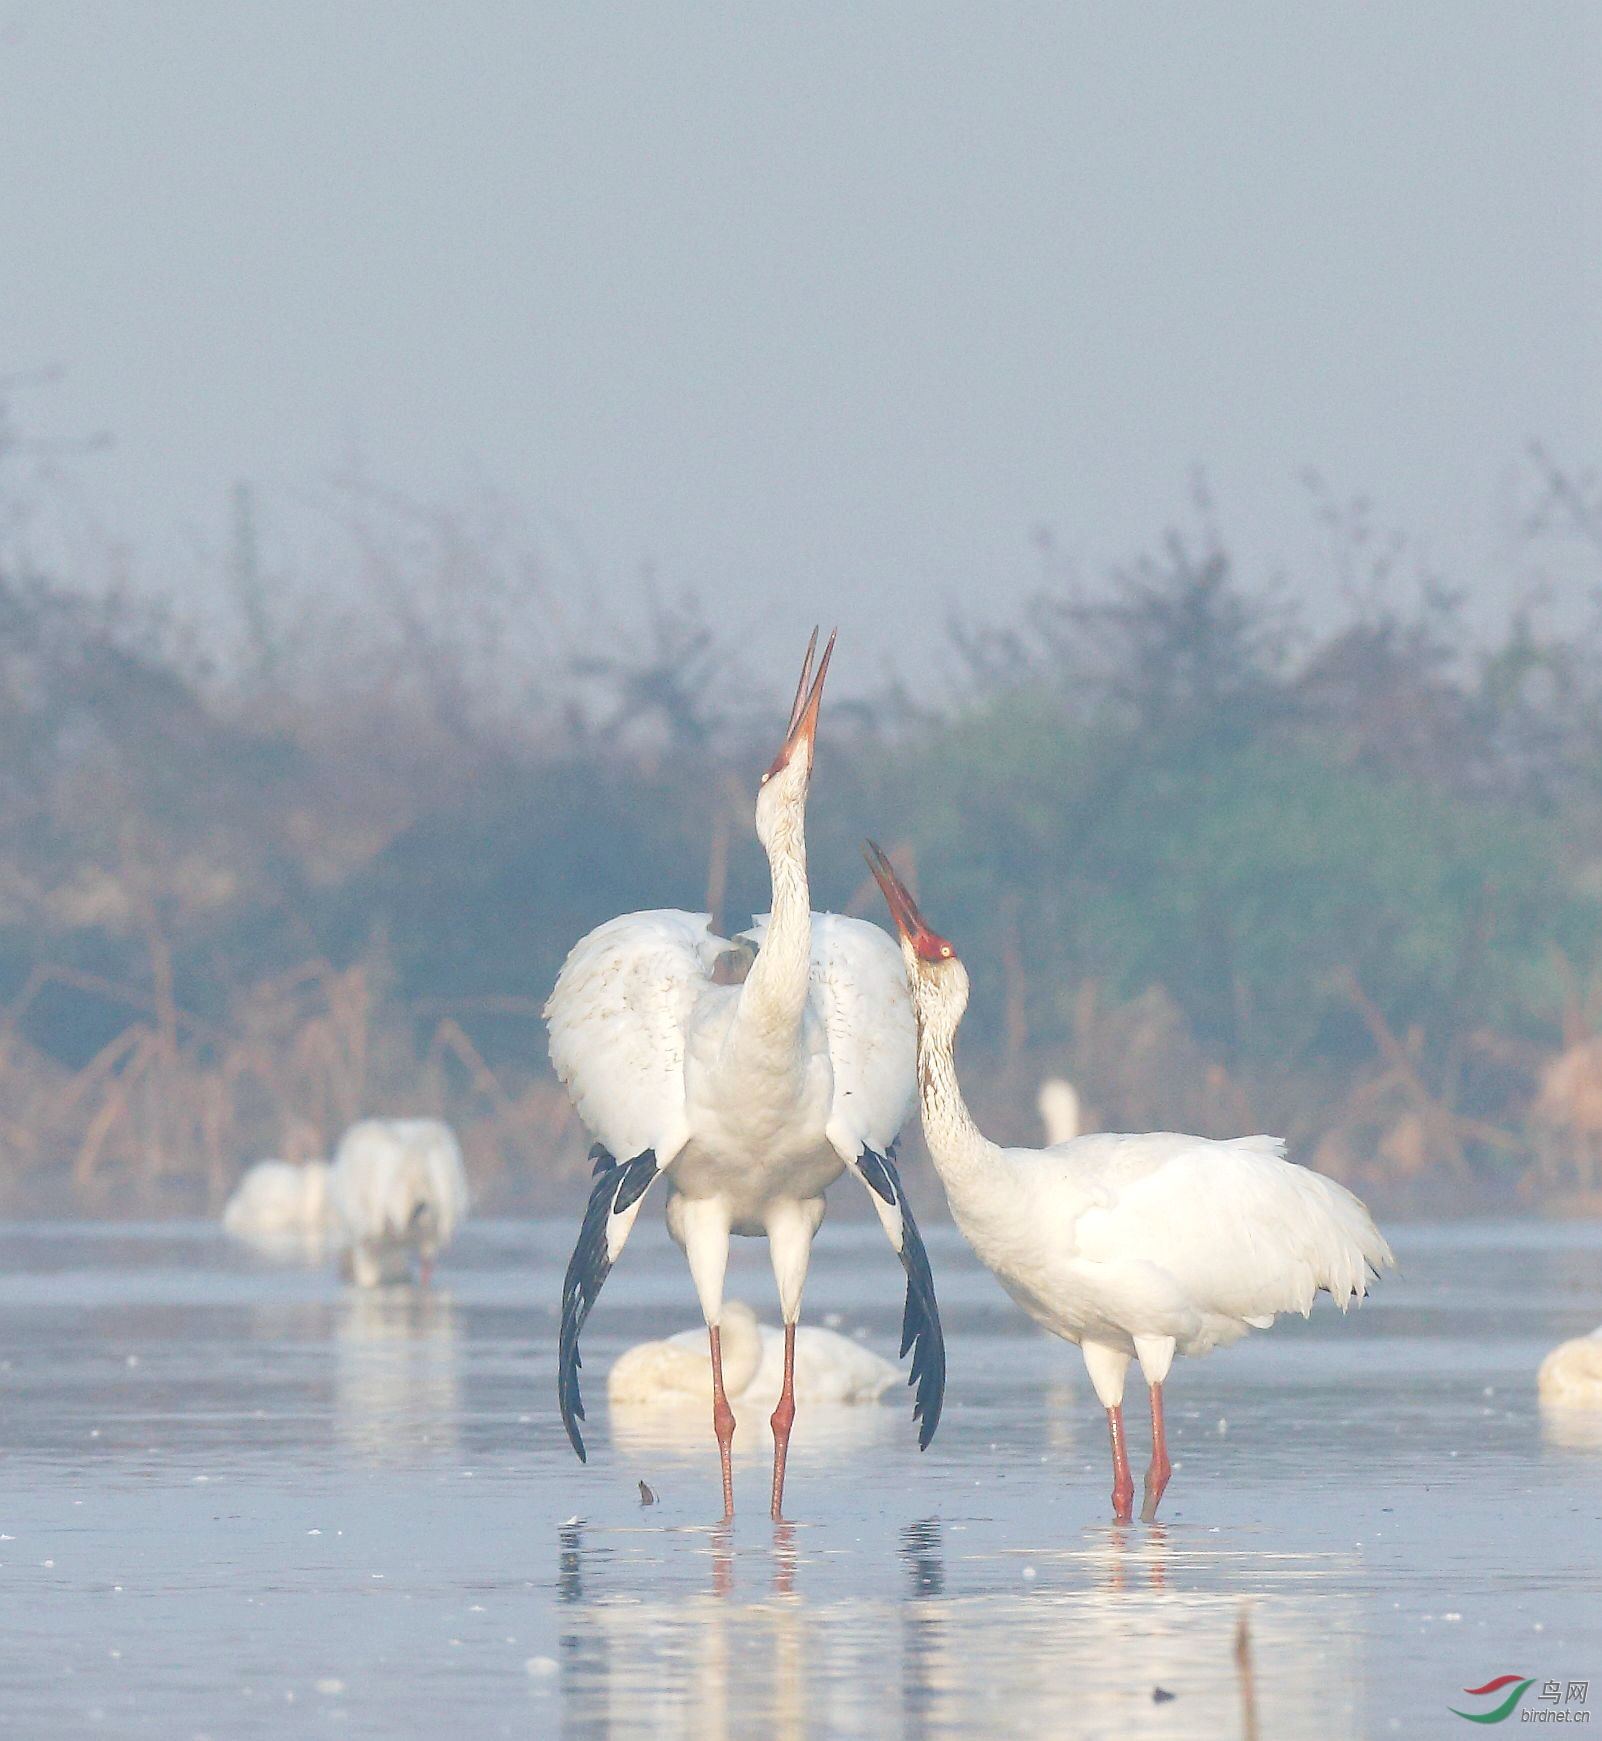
x=1246, y=878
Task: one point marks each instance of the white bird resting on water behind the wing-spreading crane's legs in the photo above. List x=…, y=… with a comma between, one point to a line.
x=828, y=1368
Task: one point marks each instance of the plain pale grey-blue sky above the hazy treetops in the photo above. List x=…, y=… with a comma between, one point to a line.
x=819, y=309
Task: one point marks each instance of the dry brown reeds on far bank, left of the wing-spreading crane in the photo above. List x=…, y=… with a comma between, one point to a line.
x=166, y=1115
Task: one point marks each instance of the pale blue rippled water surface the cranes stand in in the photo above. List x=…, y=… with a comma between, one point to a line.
x=241, y=1500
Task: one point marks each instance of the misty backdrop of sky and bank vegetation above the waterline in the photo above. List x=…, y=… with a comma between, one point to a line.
x=429, y=438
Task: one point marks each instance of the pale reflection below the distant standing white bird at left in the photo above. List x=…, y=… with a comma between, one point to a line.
x=396, y=1375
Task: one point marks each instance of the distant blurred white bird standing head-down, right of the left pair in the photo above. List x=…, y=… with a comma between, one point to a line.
x=400, y=1190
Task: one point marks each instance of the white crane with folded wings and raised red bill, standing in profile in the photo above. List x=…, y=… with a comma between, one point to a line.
x=1134, y=1247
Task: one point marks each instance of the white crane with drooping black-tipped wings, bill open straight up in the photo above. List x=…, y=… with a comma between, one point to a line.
x=753, y=1098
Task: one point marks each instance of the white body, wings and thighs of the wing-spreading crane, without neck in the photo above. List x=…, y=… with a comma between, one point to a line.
x=751, y=1133
